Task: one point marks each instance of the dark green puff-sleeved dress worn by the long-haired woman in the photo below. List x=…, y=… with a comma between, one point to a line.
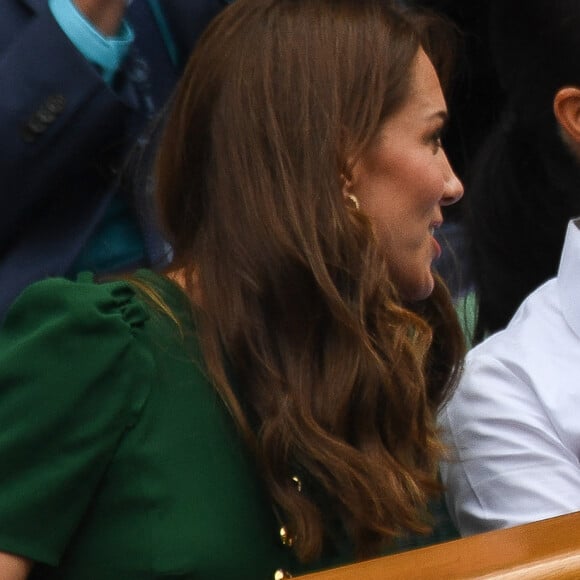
x=118, y=459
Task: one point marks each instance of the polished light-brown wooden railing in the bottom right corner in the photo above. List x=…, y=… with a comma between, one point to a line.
x=542, y=550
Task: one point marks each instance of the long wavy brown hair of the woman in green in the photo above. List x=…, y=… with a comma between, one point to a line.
x=336, y=378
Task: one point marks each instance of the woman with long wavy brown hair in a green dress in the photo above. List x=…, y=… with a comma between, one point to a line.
x=286, y=372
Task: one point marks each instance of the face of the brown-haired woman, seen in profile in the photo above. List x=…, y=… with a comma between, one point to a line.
x=403, y=180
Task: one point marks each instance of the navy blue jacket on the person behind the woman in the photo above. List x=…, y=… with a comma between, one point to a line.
x=63, y=136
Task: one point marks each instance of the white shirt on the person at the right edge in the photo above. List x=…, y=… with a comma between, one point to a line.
x=513, y=425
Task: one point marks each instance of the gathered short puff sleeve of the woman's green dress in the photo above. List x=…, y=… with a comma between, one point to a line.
x=74, y=377
